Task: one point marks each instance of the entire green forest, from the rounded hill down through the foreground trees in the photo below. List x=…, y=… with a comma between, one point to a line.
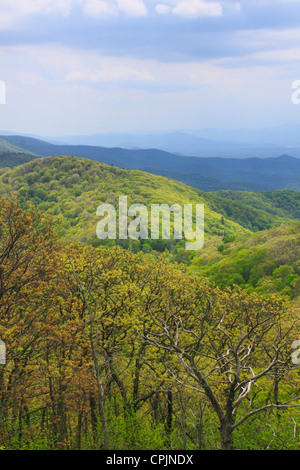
x=143, y=345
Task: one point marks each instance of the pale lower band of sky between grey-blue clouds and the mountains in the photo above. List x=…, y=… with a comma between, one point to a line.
x=85, y=92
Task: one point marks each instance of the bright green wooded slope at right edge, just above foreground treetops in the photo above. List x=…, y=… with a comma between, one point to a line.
x=268, y=261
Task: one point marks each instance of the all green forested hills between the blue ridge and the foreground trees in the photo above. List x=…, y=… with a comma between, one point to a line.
x=72, y=188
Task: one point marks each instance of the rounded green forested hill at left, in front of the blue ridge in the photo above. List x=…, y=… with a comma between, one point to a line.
x=72, y=189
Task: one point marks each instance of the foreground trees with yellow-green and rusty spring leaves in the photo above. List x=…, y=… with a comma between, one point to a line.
x=99, y=343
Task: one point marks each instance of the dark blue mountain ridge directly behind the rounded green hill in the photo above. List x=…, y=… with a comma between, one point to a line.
x=208, y=174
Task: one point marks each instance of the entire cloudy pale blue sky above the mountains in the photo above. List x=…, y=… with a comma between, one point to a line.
x=89, y=66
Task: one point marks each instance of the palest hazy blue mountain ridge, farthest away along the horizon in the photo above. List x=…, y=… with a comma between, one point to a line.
x=208, y=143
